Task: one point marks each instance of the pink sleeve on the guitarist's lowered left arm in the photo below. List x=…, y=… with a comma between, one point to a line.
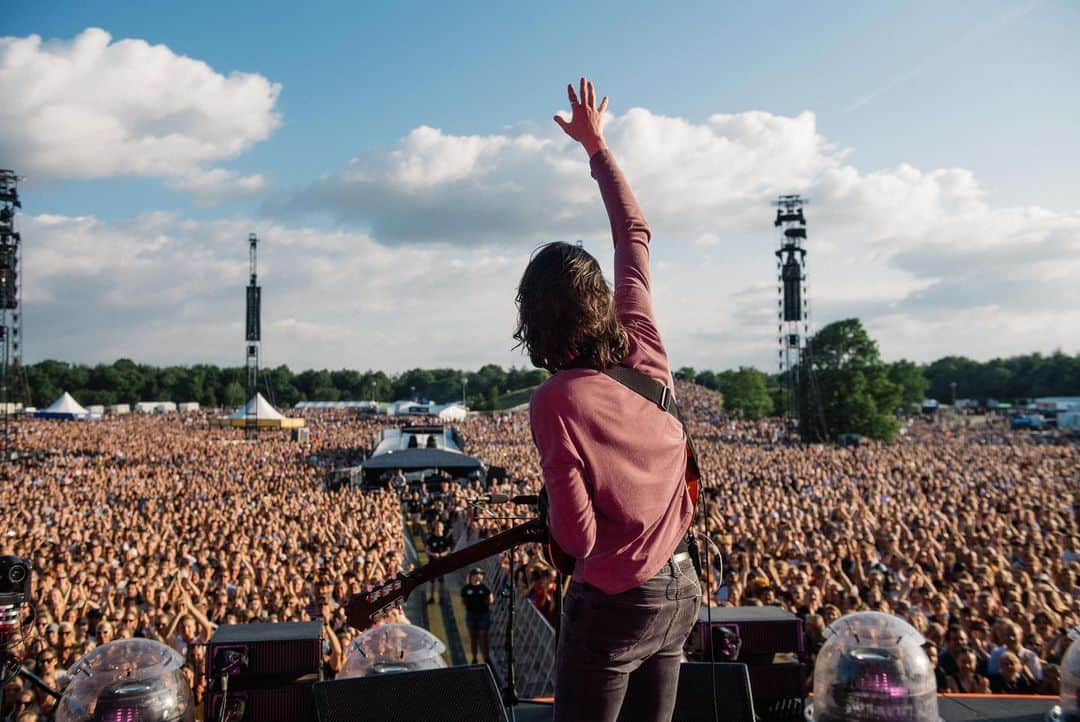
x=571, y=516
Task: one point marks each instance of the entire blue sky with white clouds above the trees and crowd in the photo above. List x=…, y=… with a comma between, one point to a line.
x=979, y=88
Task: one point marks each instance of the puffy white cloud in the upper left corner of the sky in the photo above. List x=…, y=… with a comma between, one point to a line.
x=92, y=108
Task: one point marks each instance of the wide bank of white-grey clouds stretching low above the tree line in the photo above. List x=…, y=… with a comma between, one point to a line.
x=437, y=230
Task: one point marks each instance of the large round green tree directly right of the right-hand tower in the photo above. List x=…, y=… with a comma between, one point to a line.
x=848, y=389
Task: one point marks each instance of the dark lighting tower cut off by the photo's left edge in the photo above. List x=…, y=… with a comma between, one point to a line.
x=11, y=315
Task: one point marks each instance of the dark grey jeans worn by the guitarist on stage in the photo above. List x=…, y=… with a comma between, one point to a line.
x=623, y=652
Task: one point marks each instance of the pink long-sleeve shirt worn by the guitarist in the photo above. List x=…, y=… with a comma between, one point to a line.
x=614, y=464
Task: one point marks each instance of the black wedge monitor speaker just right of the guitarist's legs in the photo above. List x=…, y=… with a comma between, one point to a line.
x=694, y=702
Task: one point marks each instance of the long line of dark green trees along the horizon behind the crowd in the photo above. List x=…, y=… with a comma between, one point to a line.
x=850, y=390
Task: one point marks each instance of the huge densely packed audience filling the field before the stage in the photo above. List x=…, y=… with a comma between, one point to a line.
x=165, y=527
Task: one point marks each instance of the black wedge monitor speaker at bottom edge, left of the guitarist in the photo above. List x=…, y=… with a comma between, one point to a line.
x=454, y=694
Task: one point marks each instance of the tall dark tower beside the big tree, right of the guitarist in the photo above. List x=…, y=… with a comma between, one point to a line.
x=793, y=323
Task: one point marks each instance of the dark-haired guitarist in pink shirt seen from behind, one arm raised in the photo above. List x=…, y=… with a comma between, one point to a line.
x=614, y=462
